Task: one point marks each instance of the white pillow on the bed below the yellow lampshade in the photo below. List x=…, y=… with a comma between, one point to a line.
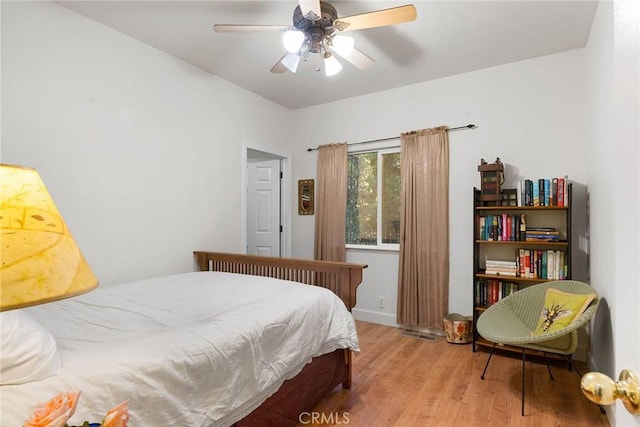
x=29, y=352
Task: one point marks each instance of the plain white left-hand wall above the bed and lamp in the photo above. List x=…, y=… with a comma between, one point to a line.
x=141, y=151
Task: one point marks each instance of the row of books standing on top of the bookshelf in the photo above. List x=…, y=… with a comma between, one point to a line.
x=543, y=192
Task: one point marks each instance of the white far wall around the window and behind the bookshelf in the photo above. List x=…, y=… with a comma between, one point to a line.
x=531, y=114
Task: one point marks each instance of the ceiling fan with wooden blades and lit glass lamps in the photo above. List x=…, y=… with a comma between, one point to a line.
x=316, y=29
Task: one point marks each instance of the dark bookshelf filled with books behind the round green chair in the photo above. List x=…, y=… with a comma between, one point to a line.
x=515, y=247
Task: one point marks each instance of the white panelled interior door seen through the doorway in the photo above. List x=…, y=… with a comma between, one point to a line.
x=263, y=208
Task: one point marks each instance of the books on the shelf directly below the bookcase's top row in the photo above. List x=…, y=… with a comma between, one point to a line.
x=507, y=227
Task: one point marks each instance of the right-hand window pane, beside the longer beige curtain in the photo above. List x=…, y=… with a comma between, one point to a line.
x=391, y=198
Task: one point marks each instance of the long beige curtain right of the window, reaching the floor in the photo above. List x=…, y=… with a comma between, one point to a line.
x=423, y=278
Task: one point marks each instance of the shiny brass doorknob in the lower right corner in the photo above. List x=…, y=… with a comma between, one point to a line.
x=601, y=389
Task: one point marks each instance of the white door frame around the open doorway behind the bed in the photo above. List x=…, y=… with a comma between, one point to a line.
x=285, y=195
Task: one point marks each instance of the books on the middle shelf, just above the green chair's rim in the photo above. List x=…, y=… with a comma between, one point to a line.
x=531, y=263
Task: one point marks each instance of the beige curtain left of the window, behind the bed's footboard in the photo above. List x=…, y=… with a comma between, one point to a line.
x=331, y=202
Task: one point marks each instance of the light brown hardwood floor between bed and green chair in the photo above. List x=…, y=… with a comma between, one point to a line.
x=403, y=381
